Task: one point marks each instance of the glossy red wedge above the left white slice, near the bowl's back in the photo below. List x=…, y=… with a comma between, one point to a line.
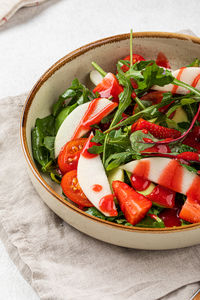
x=109, y=87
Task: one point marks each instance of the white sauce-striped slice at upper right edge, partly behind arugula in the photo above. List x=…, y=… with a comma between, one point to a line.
x=187, y=75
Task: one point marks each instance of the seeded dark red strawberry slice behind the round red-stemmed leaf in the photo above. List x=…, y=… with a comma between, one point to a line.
x=157, y=131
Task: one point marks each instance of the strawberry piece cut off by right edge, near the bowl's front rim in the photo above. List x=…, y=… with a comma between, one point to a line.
x=190, y=211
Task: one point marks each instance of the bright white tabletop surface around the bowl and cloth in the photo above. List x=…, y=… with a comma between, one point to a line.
x=37, y=37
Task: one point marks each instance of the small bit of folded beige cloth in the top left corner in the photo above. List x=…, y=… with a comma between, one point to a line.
x=25, y=14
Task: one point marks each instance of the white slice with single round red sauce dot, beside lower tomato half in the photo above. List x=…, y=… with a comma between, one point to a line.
x=94, y=182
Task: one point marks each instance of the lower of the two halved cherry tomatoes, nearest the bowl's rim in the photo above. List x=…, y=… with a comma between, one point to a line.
x=72, y=189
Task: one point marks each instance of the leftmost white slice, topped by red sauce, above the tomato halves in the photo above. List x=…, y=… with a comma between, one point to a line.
x=72, y=121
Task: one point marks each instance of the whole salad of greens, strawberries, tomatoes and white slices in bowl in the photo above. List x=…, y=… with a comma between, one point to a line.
x=128, y=151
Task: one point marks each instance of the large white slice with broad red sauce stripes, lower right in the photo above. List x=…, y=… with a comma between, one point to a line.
x=166, y=172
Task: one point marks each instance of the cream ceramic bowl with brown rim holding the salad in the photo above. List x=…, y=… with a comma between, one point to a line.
x=180, y=50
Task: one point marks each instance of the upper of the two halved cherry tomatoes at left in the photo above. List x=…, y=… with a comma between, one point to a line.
x=69, y=155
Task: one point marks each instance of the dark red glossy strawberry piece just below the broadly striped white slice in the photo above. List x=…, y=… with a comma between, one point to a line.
x=162, y=196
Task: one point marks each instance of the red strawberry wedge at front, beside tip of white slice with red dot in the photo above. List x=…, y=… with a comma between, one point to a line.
x=133, y=205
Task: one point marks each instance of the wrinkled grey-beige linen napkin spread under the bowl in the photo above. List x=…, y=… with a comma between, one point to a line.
x=63, y=263
